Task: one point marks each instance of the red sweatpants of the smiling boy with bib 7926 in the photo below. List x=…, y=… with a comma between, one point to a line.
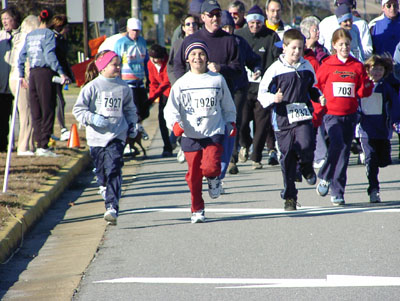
x=205, y=162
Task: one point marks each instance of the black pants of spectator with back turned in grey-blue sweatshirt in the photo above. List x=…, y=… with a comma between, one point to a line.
x=42, y=97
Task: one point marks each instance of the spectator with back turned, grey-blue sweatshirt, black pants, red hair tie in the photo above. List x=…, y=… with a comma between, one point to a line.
x=39, y=49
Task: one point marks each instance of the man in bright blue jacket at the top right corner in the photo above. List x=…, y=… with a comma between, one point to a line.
x=386, y=32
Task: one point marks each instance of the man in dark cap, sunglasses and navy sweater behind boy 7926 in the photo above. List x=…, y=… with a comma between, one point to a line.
x=223, y=49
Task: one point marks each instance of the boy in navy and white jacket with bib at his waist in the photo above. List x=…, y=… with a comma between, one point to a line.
x=287, y=86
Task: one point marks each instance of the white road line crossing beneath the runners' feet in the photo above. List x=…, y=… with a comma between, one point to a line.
x=303, y=210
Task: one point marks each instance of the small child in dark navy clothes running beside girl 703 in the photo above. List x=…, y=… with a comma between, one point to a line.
x=379, y=113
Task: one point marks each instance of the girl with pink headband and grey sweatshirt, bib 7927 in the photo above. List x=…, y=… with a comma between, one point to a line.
x=105, y=106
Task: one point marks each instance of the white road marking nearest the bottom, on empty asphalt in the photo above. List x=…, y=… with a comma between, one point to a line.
x=330, y=281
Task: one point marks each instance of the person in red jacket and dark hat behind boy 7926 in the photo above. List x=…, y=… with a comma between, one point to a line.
x=159, y=88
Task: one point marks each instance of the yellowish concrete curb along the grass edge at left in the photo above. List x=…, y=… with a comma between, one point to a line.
x=15, y=229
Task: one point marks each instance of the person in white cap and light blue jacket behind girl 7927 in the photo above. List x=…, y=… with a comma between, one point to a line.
x=132, y=49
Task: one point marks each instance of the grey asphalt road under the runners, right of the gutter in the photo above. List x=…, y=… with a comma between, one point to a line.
x=249, y=248
